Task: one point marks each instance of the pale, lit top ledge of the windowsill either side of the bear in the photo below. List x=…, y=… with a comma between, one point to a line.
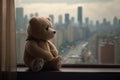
x=24, y=69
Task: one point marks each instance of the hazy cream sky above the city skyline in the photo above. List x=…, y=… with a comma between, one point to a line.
x=94, y=9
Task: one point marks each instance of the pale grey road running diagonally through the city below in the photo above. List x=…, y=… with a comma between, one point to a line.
x=74, y=54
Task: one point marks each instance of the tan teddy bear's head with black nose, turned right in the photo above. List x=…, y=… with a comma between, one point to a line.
x=41, y=28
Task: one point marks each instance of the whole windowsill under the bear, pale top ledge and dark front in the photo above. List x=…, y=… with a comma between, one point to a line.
x=70, y=74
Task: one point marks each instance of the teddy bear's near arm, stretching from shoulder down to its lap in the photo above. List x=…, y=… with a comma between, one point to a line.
x=35, y=51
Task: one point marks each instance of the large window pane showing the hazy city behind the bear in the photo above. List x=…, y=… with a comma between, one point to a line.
x=88, y=31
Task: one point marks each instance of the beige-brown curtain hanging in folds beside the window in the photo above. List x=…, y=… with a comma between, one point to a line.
x=7, y=39
